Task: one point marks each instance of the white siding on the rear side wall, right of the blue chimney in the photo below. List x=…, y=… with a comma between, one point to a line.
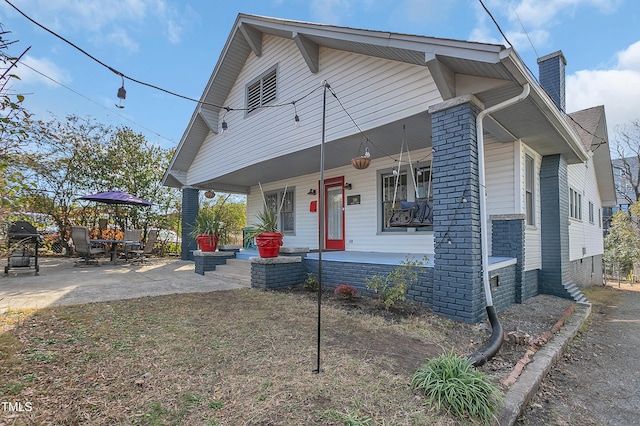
x=585, y=238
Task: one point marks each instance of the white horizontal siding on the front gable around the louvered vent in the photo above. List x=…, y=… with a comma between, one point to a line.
x=378, y=92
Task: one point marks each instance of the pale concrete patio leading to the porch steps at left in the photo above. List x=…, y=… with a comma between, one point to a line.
x=61, y=283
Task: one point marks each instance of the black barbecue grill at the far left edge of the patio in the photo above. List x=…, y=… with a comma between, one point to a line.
x=22, y=244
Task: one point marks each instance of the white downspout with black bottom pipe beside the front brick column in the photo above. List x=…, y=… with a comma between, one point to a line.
x=497, y=336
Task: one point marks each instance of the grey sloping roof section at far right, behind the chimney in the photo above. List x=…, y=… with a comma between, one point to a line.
x=591, y=127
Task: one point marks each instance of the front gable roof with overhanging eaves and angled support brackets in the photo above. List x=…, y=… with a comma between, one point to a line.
x=493, y=73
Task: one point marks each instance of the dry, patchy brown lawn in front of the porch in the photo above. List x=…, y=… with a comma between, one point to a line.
x=236, y=357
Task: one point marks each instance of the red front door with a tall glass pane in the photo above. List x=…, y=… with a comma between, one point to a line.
x=334, y=213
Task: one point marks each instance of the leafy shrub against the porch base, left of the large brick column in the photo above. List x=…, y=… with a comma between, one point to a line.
x=392, y=287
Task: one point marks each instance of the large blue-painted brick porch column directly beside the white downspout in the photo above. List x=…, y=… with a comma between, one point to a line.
x=457, y=283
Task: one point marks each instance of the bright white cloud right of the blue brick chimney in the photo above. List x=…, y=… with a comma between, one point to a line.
x=618, y=89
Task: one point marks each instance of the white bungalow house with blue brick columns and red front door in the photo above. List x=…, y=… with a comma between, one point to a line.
x=441, y=121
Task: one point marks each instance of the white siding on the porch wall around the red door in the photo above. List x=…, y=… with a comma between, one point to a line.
x=361, y=221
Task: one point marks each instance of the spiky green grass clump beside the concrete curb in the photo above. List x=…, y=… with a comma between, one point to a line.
x=450, y=382
